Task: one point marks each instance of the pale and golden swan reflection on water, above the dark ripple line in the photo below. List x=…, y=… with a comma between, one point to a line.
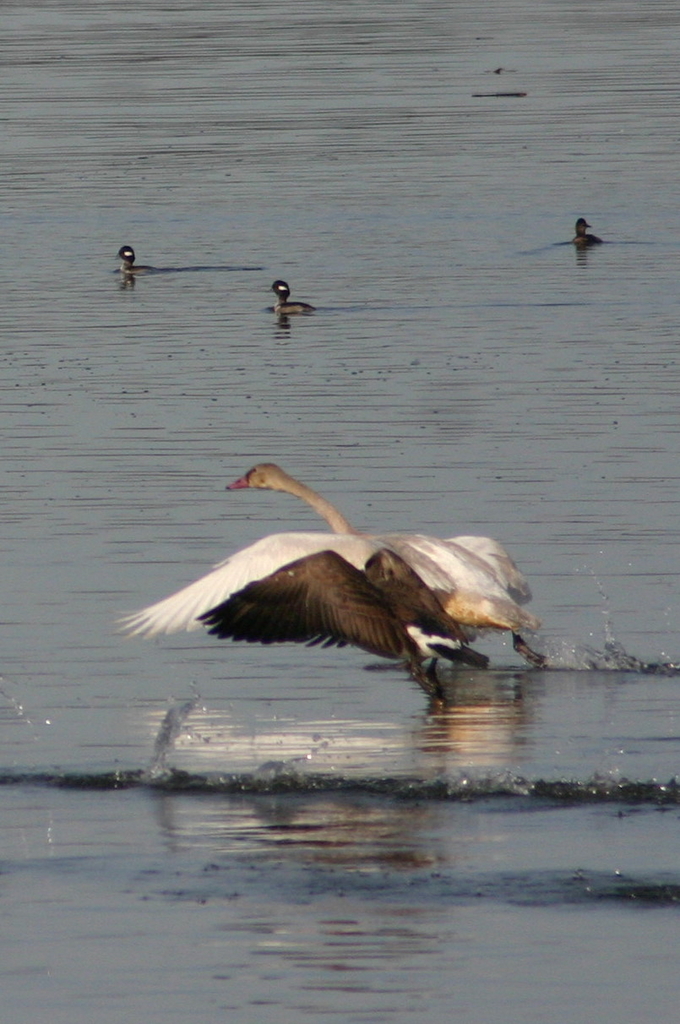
x=486, y=724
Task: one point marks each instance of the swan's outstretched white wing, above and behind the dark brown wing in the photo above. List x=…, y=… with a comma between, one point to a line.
x=181, y=611
